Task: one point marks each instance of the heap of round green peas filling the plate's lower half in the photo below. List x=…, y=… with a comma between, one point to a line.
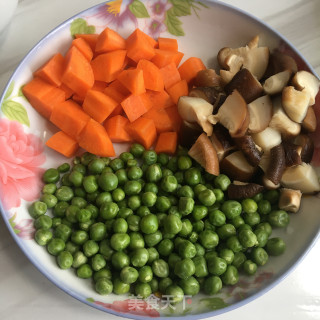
x=148, y=223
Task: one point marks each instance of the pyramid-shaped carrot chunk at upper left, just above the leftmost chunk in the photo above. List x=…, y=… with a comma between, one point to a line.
x=52, y=70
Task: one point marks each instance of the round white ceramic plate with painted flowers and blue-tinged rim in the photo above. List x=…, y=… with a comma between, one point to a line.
x=202, y=29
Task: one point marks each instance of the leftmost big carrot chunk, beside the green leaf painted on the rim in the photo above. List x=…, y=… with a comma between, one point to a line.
x=43, y=96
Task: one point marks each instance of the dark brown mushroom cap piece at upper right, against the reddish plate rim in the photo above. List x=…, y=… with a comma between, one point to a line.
x=278, y=62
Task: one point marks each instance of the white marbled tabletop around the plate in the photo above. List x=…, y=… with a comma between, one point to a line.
x=26, y=294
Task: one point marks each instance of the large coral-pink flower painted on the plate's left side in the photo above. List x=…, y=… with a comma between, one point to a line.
x=21, y=155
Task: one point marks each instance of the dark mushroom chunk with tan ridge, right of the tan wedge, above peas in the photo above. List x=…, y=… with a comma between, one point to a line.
x=236, y=166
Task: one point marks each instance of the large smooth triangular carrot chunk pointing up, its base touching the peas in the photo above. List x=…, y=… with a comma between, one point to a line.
x=94, y=139
